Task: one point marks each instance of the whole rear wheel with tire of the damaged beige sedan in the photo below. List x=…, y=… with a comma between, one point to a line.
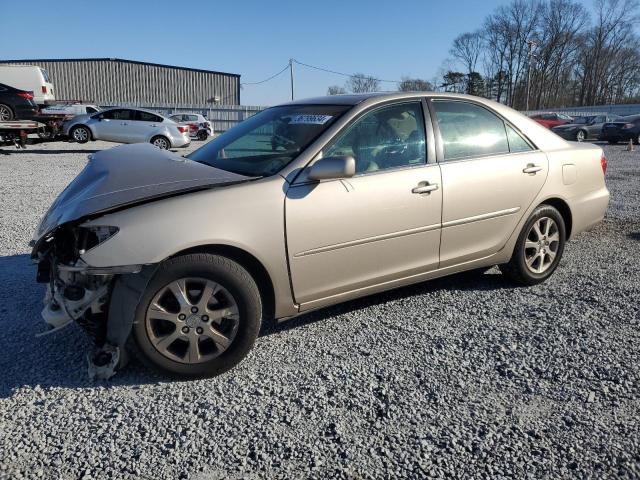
x=539, y=247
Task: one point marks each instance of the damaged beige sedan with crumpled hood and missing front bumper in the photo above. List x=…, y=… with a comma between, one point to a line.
x=305, y=205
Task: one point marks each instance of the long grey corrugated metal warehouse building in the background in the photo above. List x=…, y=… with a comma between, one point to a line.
x=113, y=81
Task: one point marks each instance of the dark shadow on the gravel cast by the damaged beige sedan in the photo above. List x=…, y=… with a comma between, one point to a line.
x=58, y=359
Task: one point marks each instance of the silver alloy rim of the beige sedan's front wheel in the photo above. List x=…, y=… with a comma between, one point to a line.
x=192, y=320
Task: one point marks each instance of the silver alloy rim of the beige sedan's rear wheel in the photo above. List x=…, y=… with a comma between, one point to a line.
x=541, y=245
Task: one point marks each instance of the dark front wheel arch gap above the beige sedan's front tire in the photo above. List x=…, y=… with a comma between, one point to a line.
x=254, y=266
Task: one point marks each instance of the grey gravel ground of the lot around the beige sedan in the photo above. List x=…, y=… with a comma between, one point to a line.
x=464, y=377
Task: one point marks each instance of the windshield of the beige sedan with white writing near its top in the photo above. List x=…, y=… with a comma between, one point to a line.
x=267, y=142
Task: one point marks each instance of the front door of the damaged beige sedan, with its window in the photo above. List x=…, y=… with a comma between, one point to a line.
x=374, y=228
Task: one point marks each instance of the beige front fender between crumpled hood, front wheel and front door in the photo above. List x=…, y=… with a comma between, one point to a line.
x=247, y=216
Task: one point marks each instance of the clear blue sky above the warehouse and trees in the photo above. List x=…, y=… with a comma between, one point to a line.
x=253, y=38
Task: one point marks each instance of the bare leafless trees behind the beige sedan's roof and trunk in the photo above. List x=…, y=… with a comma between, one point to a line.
x=540, y=54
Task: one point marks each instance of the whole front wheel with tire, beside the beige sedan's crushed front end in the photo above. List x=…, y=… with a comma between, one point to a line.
x=199, y=316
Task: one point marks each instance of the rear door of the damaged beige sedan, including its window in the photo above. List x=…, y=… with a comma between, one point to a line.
x=490, y=176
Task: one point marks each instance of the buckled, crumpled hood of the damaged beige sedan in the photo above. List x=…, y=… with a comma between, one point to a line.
x=126, y=175
